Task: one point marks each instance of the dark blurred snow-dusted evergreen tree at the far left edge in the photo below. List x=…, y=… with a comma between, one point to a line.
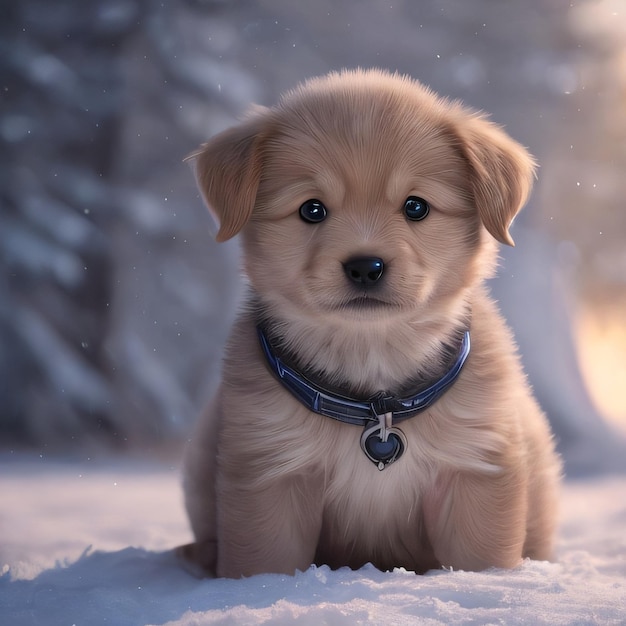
x=61, y=105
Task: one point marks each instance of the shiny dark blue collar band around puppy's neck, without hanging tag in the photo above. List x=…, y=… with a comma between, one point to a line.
x=350, y=410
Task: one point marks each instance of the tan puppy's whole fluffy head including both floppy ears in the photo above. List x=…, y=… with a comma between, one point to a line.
x=363, y=192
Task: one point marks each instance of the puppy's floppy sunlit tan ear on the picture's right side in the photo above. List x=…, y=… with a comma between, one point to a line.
x=501, y=174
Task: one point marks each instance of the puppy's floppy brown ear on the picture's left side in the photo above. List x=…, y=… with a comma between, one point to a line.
x=228, y=170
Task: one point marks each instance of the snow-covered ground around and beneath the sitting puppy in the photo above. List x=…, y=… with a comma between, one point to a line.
x=89, y=544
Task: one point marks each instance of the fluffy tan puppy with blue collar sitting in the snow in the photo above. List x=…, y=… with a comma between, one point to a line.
x=372, y=406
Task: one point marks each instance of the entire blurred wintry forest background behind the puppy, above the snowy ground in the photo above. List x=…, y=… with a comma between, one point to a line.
x=114, y=299
